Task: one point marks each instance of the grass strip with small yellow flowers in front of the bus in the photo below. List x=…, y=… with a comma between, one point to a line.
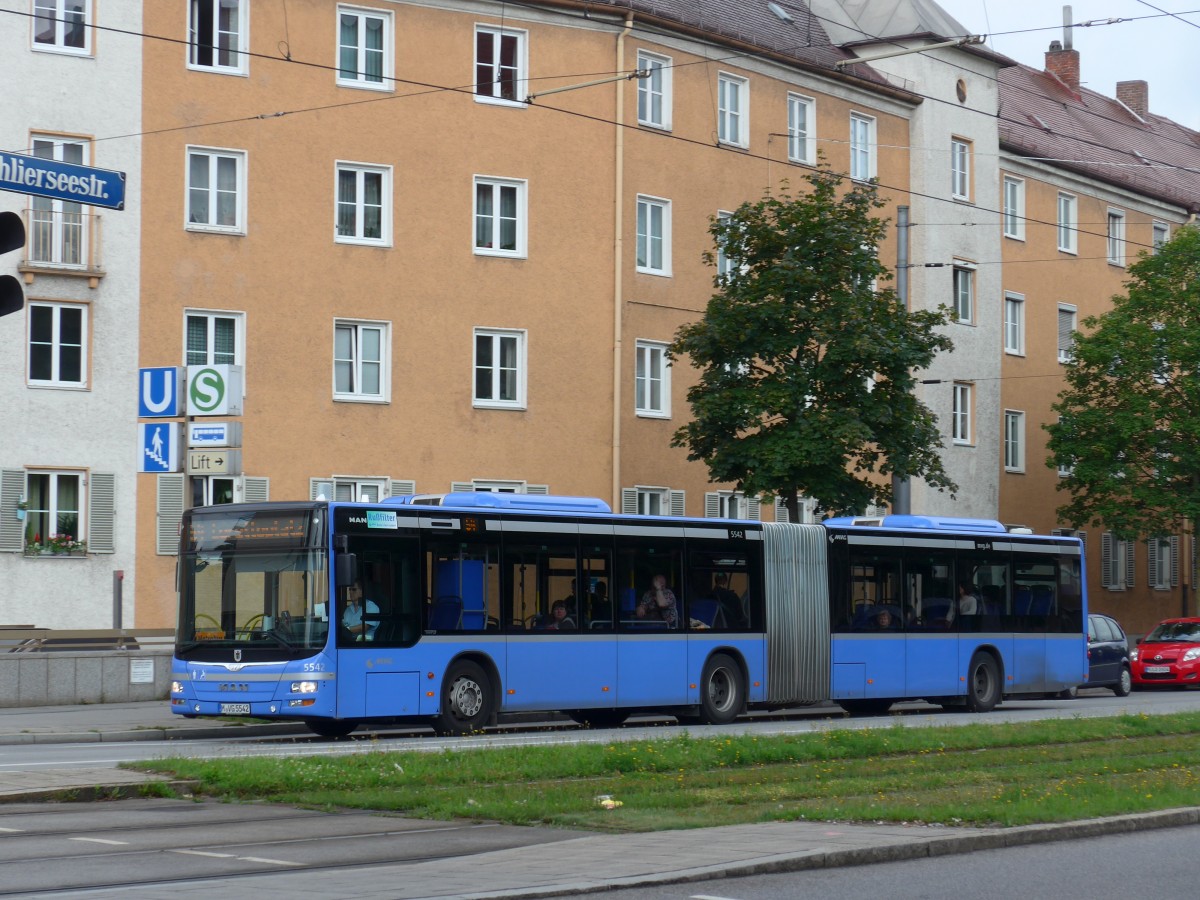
x=980, y=775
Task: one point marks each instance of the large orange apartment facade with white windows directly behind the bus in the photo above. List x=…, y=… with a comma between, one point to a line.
x=429, y=283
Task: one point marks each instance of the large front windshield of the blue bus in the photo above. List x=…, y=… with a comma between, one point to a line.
x=250, y=583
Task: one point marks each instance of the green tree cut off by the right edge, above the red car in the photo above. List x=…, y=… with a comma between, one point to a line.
x=1130, y=419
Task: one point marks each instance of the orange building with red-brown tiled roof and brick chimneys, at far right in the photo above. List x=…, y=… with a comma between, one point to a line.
x=1089, y=183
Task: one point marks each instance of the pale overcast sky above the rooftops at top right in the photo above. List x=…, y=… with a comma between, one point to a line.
x=1162, y=51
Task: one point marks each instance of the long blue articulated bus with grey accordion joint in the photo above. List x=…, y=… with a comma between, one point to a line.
x=458, y=609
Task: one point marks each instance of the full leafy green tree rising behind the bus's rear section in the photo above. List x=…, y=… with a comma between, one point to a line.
x=807, y=358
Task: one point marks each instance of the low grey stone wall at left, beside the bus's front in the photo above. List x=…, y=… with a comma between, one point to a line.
x=57, y=668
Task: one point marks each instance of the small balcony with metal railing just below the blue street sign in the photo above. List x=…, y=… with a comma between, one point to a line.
x=62, y=242
